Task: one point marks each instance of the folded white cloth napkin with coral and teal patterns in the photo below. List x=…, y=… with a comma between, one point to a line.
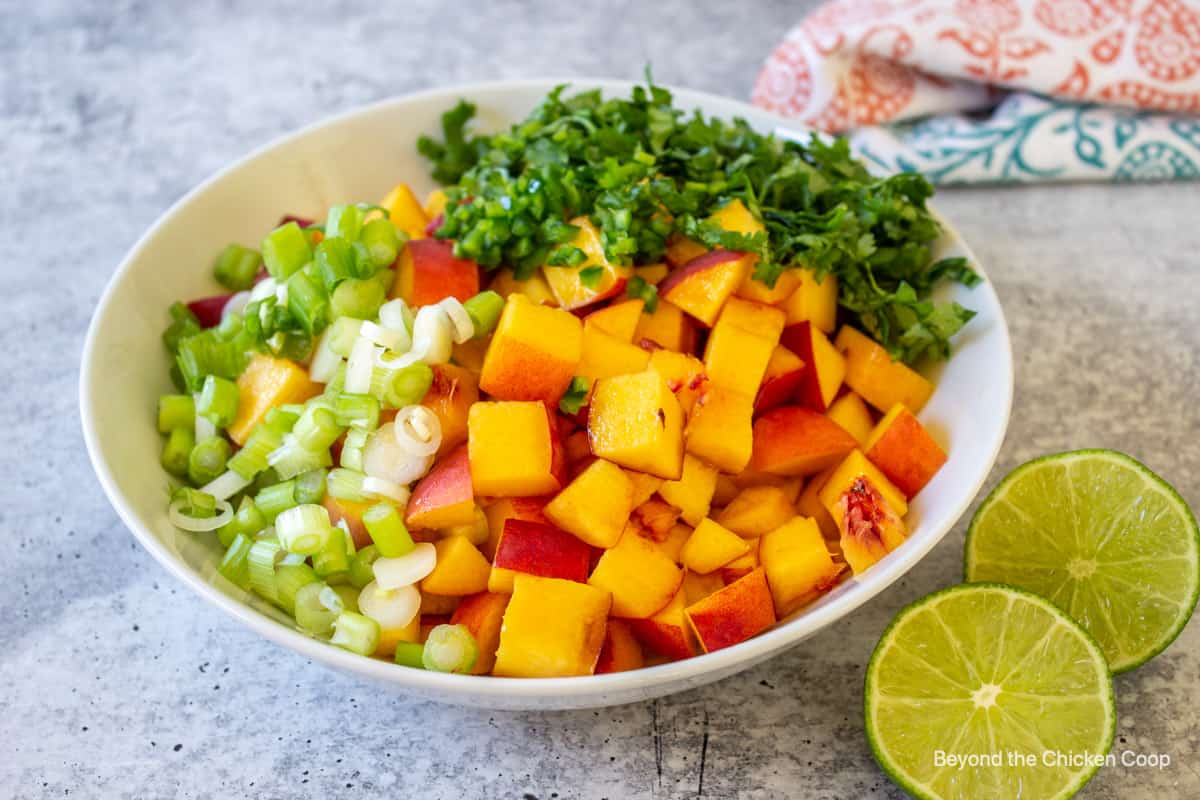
x=974, y=92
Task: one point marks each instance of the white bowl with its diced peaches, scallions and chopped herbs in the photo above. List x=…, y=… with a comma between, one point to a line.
x=523, y=395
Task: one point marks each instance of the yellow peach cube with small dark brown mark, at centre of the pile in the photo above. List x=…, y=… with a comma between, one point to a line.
x=637, y=422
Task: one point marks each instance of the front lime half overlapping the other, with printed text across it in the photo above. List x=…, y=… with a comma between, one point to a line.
x=988, y=691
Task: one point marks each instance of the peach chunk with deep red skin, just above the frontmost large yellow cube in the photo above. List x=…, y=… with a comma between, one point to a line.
x=537, y=549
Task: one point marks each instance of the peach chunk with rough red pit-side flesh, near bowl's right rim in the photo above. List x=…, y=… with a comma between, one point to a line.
x=868, y=510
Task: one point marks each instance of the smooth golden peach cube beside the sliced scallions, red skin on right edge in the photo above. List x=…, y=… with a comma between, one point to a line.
x=514, y=450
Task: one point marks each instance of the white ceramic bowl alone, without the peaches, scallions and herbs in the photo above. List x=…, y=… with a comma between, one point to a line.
x=359, y=157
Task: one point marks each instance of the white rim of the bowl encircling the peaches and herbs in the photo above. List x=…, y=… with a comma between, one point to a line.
x=447, y=685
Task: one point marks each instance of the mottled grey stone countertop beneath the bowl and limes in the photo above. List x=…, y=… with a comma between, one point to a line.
x=118, y=683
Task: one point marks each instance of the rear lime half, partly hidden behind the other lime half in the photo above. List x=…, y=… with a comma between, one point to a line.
x=1103, y=538
